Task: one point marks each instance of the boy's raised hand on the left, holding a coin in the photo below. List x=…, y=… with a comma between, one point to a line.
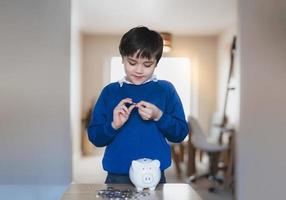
x=121, y=113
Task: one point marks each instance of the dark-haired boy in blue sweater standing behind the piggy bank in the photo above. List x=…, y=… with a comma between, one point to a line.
x=134, y=117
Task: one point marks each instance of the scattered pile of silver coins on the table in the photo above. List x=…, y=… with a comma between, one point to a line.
x=116, y=194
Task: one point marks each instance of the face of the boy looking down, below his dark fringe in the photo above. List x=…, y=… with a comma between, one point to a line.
x=138, y=70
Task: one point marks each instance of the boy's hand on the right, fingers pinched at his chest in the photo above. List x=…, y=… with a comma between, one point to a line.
x=149, y=111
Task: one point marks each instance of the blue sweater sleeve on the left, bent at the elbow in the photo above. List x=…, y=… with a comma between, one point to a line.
x=100, y=131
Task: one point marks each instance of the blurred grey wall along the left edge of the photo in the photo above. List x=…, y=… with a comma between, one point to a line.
x=35, y=140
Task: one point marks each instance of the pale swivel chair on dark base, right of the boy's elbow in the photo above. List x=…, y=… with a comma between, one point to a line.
x=201, y=142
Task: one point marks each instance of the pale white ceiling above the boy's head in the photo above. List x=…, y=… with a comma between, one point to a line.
x=179, y=17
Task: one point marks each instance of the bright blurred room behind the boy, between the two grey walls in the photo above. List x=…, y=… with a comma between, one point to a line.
x=197, y=62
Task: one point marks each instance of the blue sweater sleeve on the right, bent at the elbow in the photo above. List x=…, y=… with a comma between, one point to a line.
x=173, y=123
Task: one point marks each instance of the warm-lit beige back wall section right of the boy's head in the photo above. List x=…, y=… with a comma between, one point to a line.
x=202, y=52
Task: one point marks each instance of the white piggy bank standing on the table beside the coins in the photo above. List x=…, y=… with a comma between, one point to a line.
x=145, y=173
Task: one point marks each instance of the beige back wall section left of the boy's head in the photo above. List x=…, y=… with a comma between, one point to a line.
x=96, y=57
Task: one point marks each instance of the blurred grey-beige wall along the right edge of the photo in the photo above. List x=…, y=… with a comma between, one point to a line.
x=261, y=139
